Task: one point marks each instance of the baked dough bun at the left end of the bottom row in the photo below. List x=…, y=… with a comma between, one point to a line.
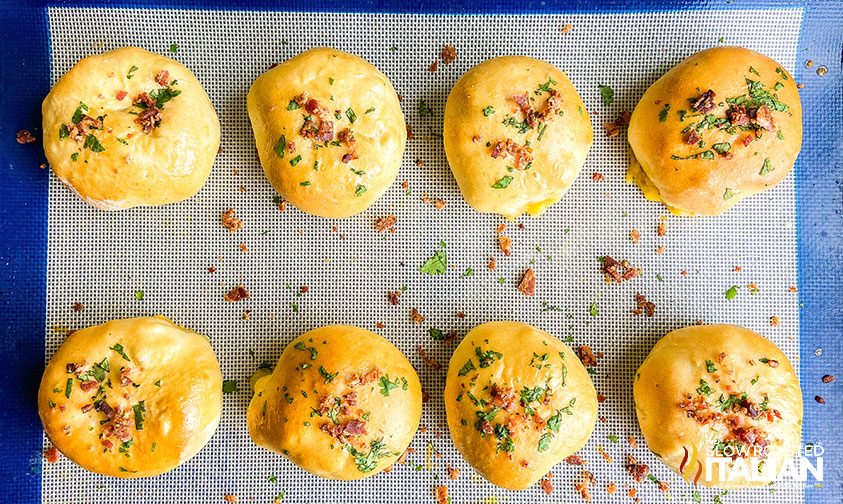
x=131, y=398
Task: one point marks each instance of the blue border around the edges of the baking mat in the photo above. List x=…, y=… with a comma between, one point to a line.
x=24, y=81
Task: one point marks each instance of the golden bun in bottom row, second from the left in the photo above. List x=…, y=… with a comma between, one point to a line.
x=342, y=403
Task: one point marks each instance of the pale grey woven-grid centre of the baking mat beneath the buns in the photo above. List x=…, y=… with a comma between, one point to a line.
x=101, y=259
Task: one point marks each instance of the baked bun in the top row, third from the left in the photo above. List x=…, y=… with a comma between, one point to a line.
x=516, y=135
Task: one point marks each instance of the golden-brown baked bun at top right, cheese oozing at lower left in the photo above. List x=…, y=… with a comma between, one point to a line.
x=700, y=153
